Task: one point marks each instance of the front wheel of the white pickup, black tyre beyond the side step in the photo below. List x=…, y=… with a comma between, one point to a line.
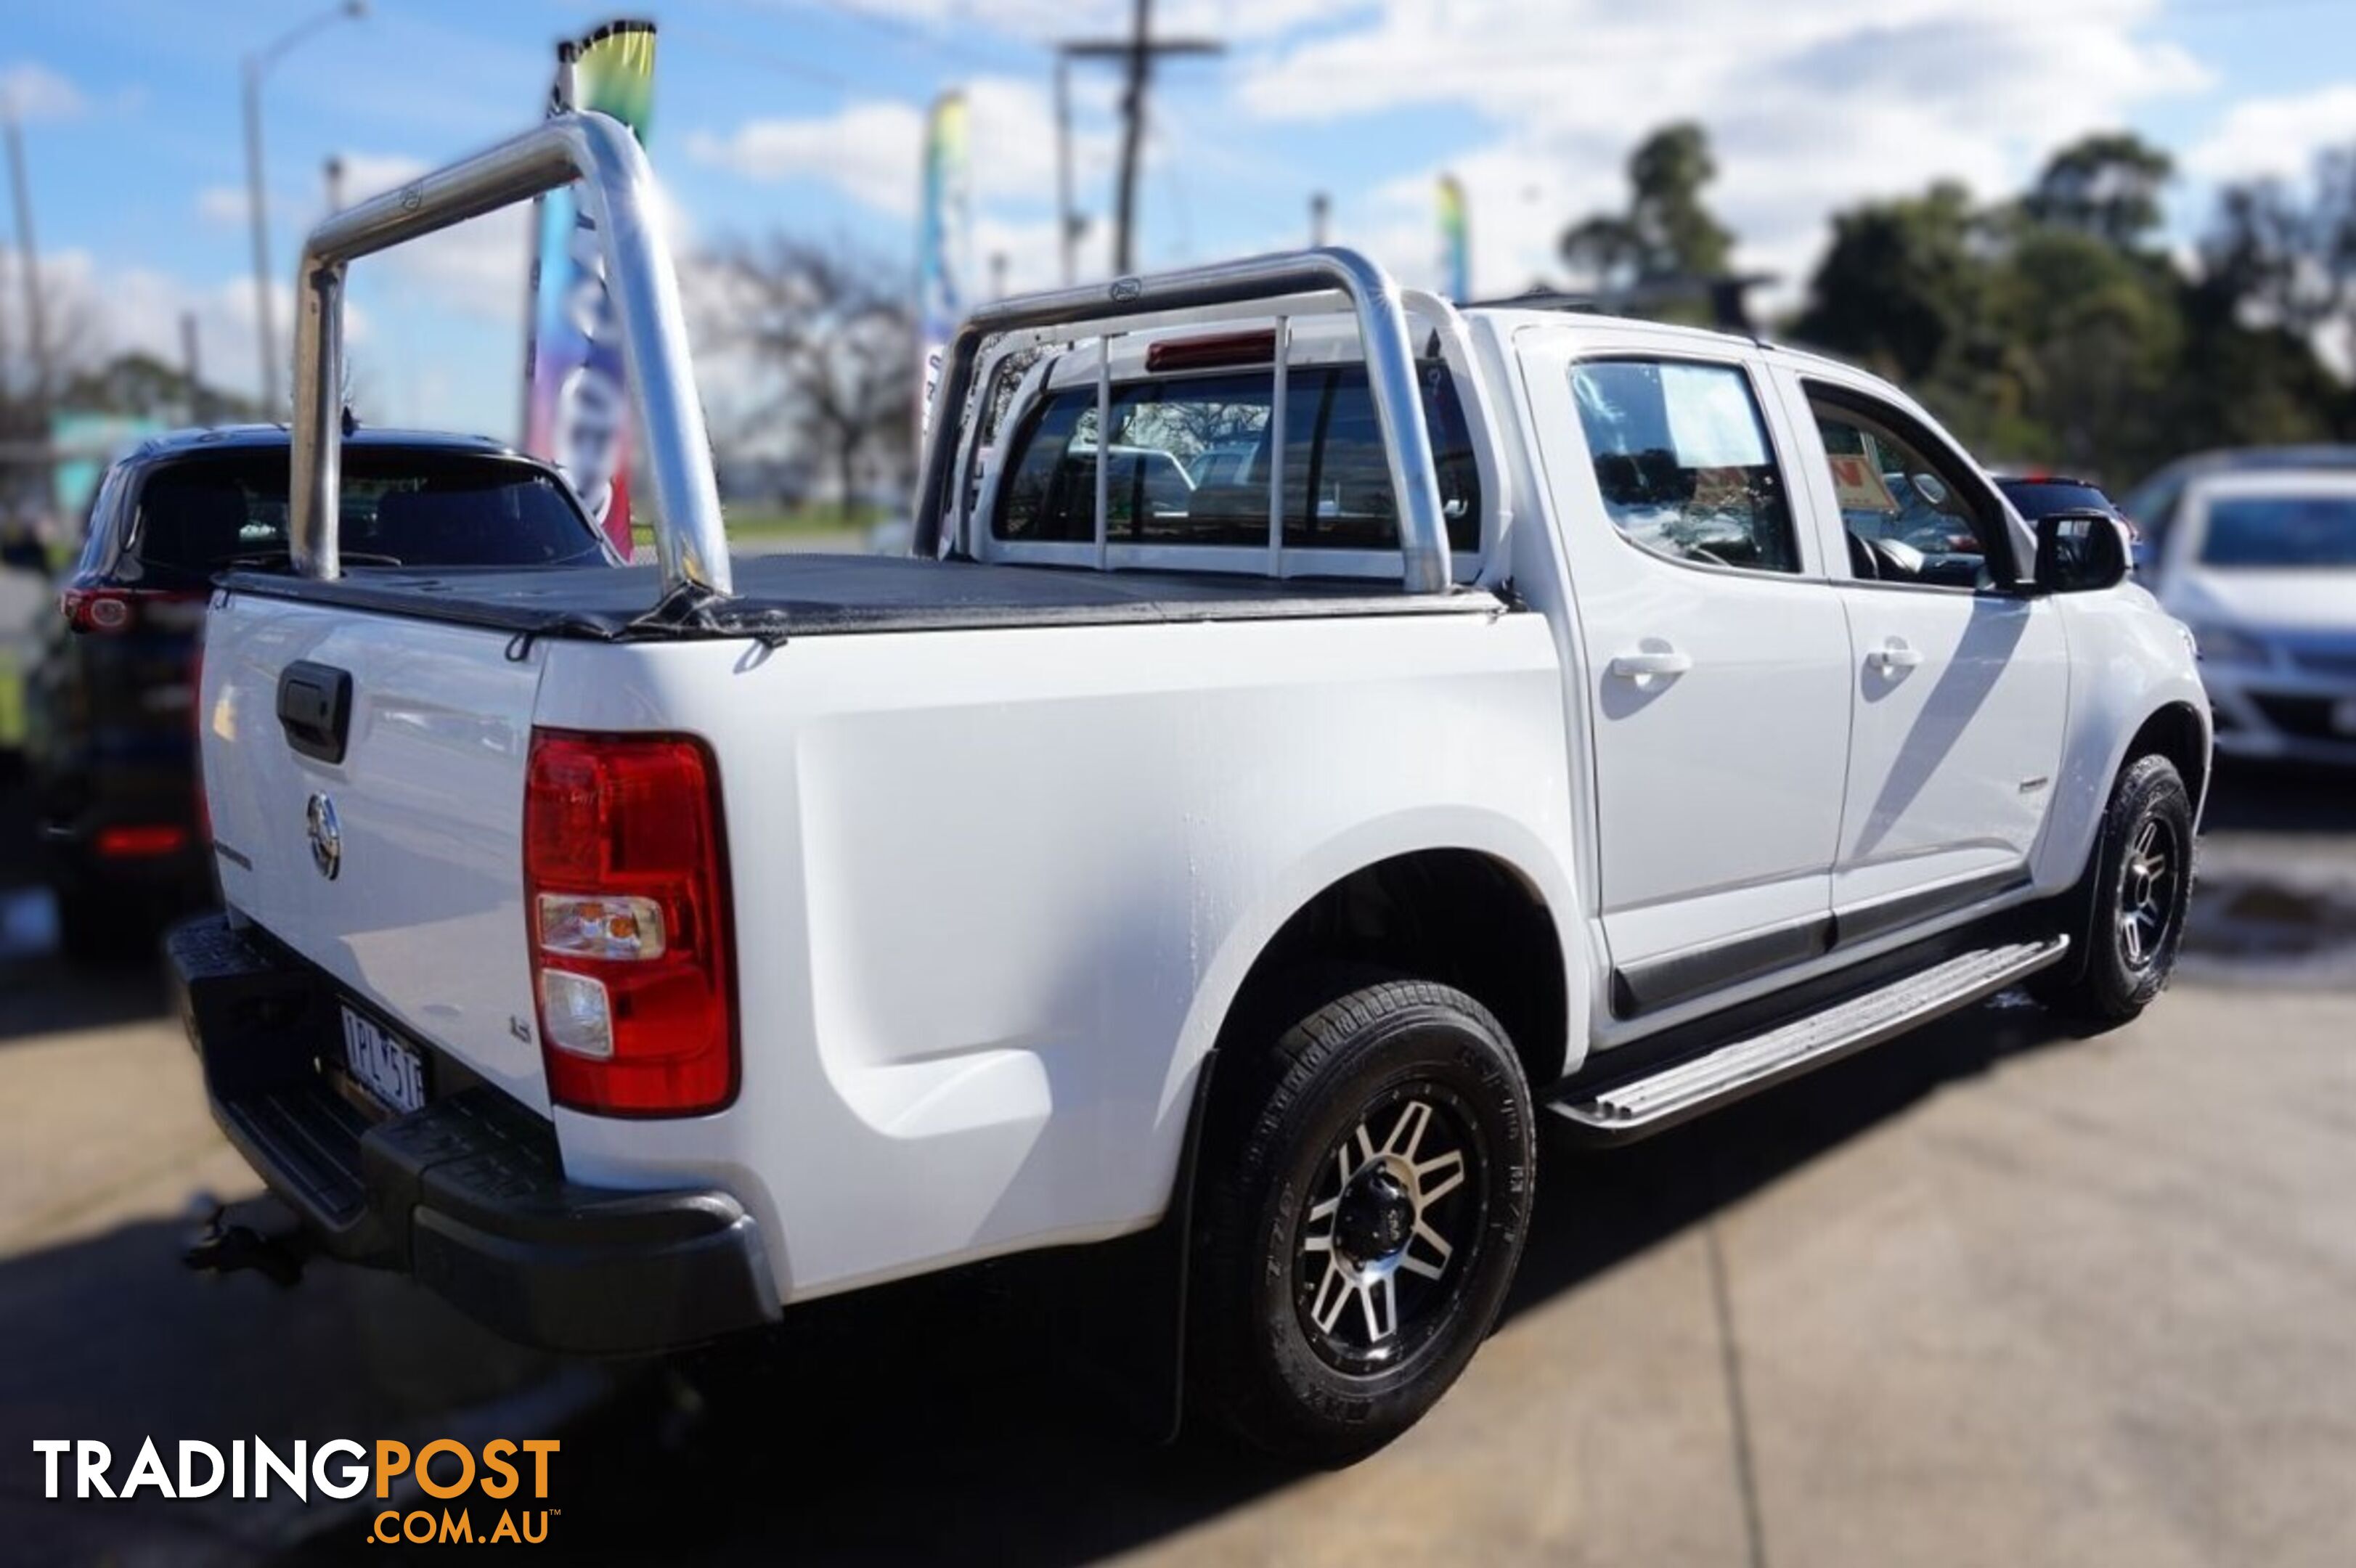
x=2131, y=910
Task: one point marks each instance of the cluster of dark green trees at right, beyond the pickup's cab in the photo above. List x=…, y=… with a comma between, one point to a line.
x=2056, y=331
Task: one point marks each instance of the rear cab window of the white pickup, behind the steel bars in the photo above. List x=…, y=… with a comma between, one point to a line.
x=1189, y=463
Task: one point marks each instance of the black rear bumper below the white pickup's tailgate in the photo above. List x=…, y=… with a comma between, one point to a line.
x=468, y=1195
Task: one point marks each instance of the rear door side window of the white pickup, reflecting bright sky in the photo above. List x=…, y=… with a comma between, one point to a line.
x=1683, y=463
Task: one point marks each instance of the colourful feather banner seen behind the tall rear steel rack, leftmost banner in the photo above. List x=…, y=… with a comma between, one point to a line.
x=576, y=406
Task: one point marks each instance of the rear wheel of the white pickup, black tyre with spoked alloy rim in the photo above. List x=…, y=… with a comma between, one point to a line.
x=1365, y=1200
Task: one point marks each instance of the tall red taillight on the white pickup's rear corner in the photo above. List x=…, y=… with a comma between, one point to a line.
x=626, y=903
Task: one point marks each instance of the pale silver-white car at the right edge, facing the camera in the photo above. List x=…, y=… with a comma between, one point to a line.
x=2263, y=566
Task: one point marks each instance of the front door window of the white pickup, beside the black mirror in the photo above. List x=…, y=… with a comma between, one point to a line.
x=1907, y=510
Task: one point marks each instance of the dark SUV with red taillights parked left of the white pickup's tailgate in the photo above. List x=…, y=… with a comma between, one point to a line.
x=112, y=724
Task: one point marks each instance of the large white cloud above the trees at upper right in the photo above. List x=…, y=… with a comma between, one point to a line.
x=1808, y=109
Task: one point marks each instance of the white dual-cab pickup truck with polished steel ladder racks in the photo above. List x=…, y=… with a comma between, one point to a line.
x=1483, y=715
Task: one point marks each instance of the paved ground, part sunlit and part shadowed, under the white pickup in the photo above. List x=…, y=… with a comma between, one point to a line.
x=1990, y=1294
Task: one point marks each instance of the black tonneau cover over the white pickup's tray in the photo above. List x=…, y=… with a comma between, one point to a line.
x=805, y=594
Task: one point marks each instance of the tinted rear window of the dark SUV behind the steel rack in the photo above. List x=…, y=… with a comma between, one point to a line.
x=418, y=510
